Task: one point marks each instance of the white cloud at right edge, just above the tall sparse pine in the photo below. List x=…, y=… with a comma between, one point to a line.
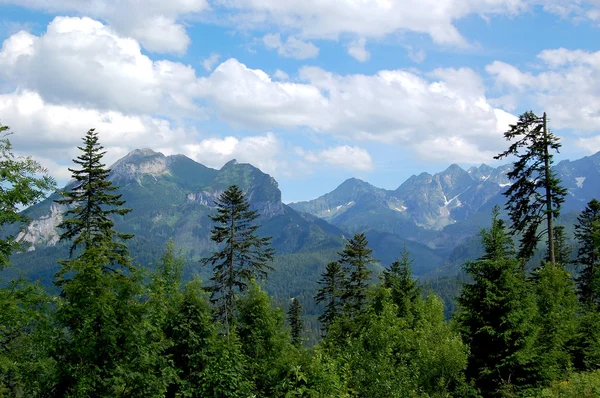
x=566, y=86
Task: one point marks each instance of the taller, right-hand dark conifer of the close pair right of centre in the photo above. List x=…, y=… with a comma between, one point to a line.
x=355, y=260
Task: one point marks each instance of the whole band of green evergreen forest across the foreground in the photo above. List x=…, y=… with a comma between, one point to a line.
x=526, y=321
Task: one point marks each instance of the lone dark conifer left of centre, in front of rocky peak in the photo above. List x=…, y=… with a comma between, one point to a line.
x=244, y=255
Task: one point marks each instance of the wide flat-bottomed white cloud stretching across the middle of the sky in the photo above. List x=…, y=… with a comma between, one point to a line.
x=393, y=106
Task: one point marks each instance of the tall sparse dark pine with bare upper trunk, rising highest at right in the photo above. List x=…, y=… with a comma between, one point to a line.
x=536, y=195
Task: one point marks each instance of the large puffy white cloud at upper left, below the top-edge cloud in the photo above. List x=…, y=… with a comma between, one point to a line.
x=81, y=61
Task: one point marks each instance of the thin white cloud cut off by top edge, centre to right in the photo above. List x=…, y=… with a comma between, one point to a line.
x=330, y=19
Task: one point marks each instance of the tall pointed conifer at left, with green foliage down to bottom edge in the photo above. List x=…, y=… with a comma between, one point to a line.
x=106, y=348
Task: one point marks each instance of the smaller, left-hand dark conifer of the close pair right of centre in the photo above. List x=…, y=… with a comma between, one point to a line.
x=331, y=293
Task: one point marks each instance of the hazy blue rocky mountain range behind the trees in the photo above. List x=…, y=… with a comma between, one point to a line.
x=172, y=196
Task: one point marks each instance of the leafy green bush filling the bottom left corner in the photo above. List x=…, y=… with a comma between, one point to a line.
x=26, y=332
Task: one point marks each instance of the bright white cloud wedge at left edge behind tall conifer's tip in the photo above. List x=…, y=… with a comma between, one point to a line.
x=52, y=132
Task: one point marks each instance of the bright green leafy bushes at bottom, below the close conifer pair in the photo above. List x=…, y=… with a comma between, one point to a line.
x=387, y=356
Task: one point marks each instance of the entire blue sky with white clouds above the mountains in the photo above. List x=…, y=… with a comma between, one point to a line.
x=310, y=91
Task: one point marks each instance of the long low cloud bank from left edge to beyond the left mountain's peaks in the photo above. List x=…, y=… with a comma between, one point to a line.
x=51, y=134
